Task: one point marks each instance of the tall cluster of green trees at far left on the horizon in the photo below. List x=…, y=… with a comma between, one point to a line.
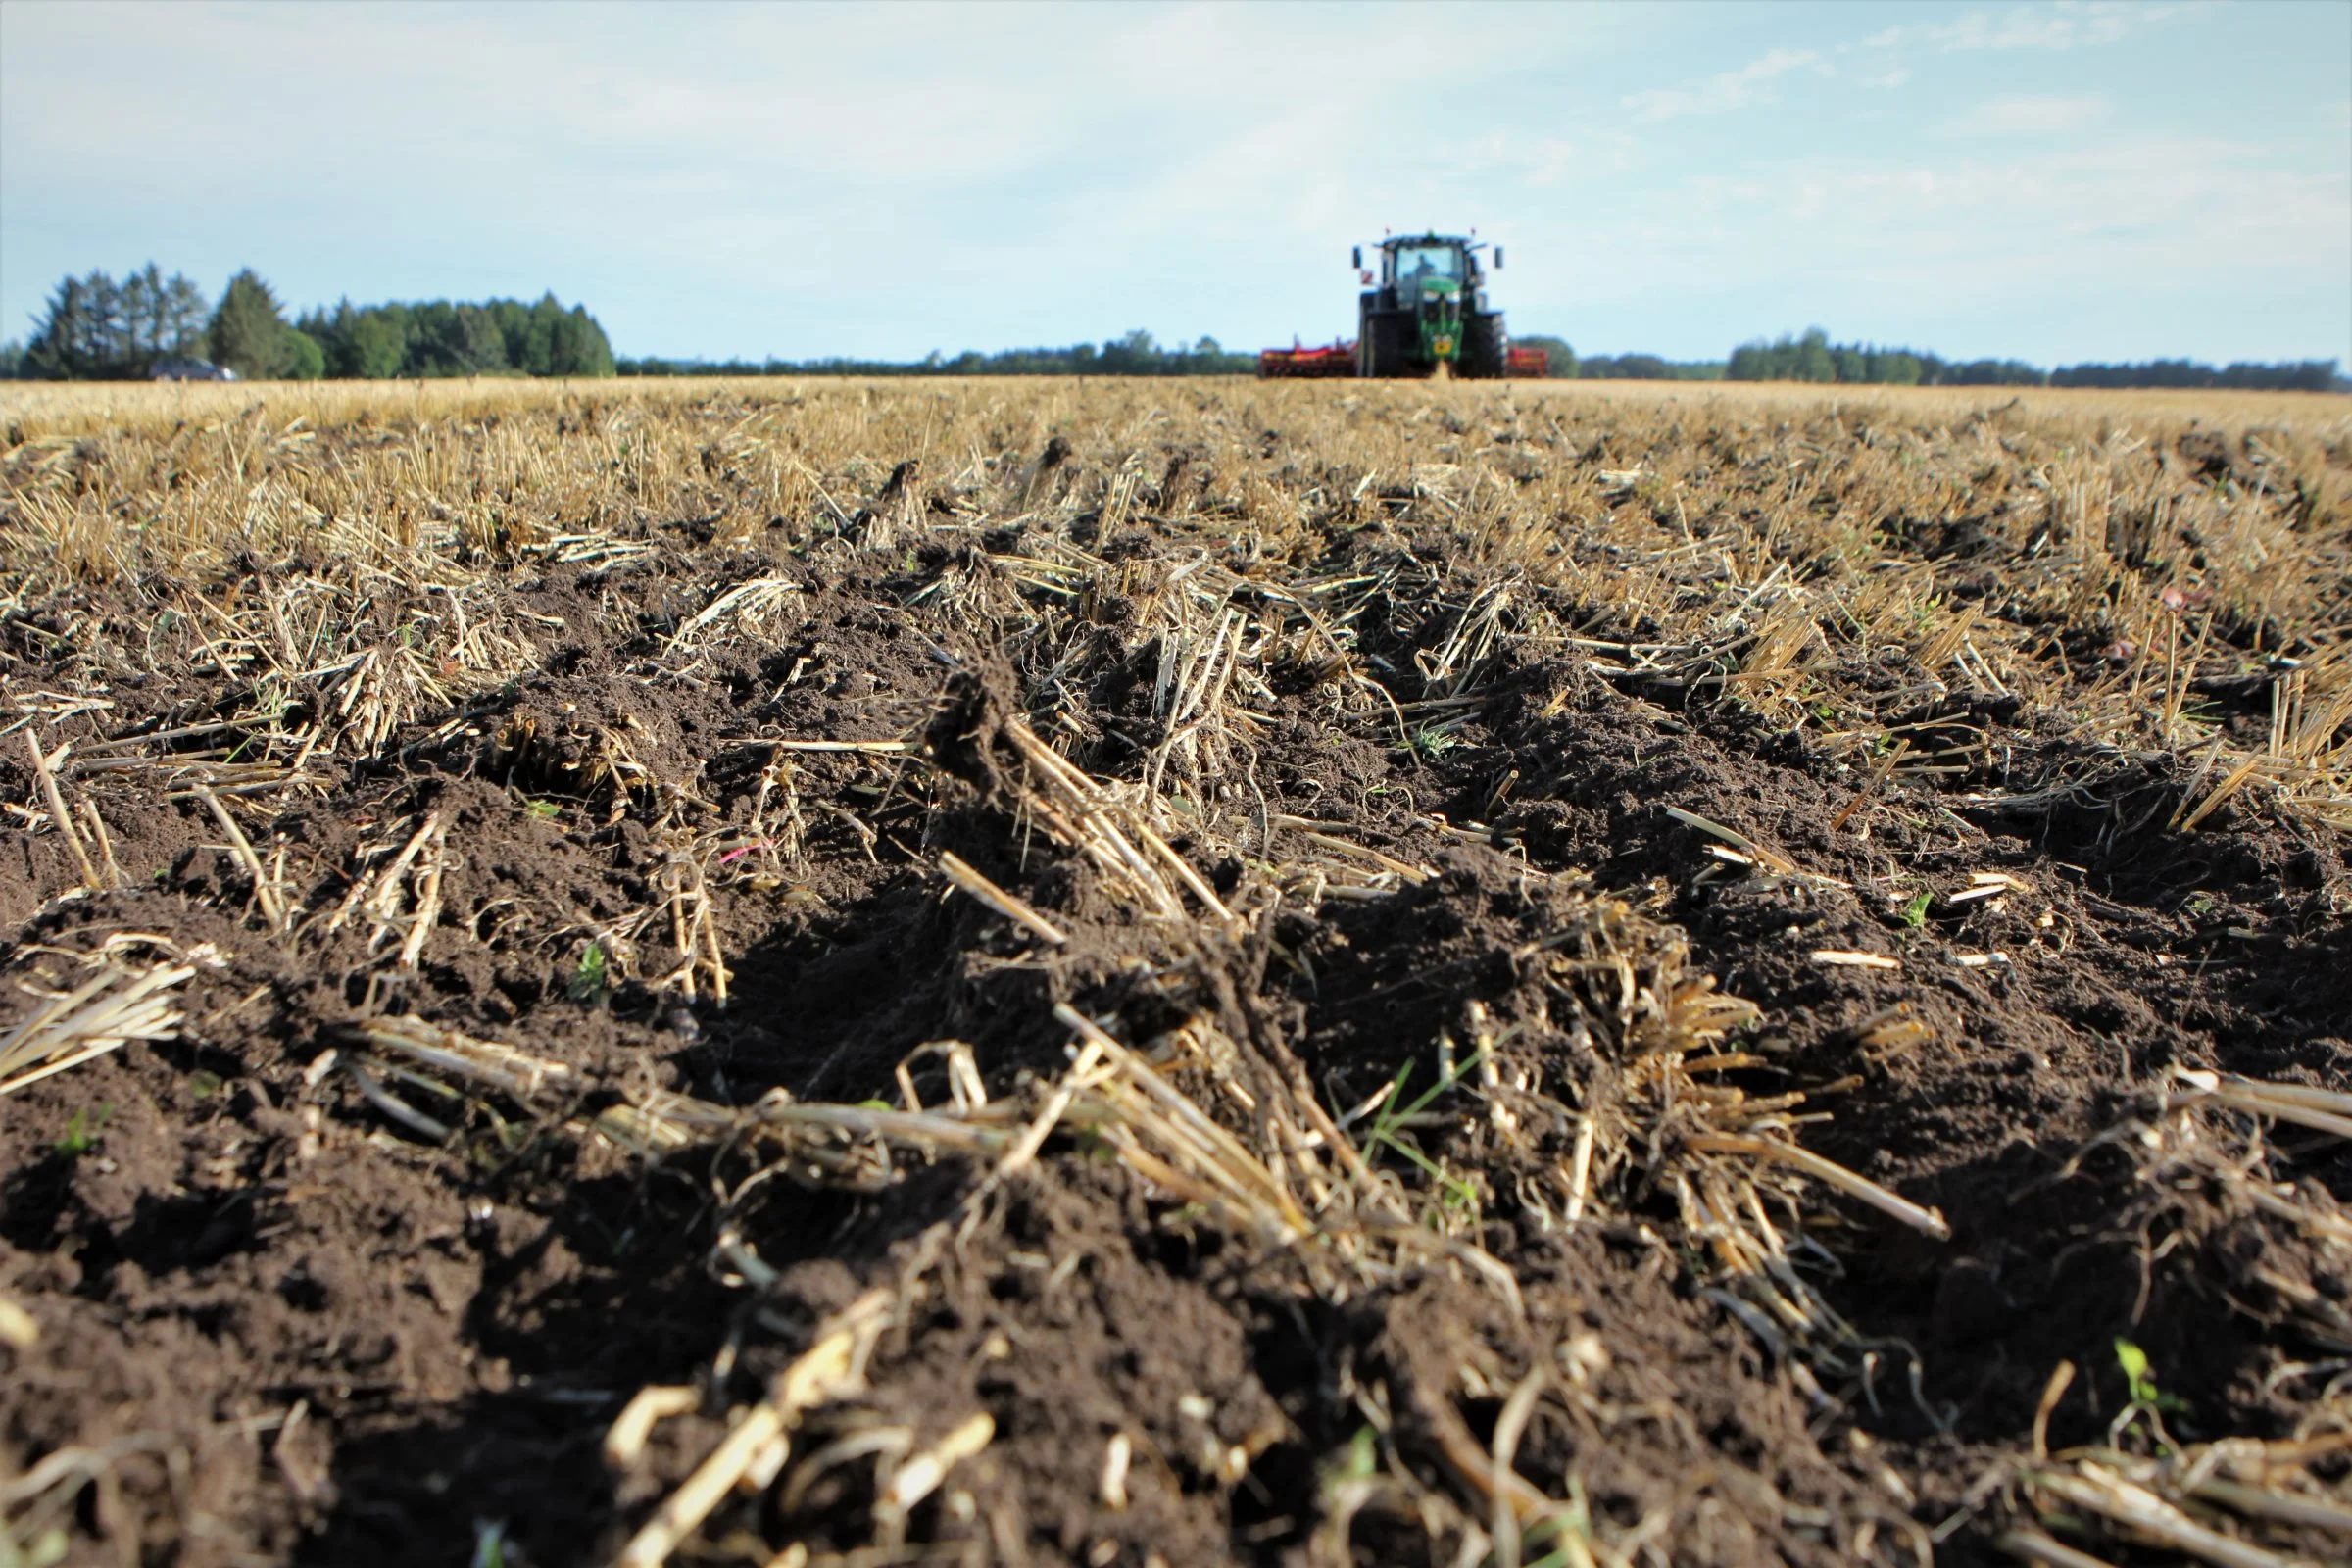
x=102, y=330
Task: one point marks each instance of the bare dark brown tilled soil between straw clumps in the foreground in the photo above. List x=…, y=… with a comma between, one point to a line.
x=302, y=1334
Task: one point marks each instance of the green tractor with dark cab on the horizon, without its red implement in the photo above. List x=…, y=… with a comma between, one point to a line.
x=1426, y=311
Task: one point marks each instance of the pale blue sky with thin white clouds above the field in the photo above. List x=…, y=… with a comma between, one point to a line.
x=2043, y=182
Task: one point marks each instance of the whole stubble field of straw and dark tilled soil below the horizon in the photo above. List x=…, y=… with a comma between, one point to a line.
x=1165, y=972
